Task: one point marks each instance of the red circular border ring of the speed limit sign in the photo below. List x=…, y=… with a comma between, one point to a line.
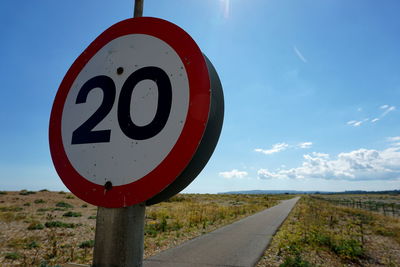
x=180, y=155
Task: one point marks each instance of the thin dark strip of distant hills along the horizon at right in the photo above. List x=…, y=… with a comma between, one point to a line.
x=258, y=192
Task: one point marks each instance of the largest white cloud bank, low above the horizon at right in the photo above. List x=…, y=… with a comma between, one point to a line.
x=357, y=165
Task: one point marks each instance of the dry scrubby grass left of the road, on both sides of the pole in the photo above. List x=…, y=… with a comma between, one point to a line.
x=49, y=228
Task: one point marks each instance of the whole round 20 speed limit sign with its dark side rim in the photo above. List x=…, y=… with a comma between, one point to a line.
x=137, y=115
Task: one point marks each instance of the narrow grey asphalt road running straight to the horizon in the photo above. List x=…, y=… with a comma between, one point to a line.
x=240, y=244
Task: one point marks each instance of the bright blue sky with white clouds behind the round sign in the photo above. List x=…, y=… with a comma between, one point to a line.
x=311, y=88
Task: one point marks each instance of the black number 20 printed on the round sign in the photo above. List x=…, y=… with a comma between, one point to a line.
x=84, y=134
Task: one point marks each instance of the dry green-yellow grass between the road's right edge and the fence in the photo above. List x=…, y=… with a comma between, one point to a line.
x=318, y=233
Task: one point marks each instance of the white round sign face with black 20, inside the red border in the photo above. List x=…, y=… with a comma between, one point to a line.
x=121, y=118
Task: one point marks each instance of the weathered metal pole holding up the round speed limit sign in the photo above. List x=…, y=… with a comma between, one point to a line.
x=119, y=238
